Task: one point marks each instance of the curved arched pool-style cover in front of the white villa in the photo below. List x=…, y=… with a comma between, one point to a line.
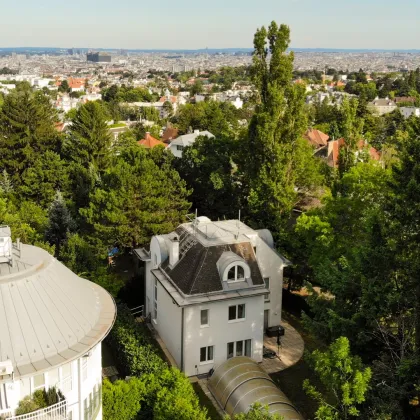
x=240, y=382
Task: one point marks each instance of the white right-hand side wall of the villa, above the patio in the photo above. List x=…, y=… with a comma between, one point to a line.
x=271, y=266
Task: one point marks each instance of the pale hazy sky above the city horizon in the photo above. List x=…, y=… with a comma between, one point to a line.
x=391, y=24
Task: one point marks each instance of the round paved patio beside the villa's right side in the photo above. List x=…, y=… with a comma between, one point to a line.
x=289, y=353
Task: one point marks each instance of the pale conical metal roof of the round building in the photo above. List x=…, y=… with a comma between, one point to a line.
x=48, y=315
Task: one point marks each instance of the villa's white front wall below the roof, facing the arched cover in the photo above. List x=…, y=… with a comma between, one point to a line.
x=221, y=331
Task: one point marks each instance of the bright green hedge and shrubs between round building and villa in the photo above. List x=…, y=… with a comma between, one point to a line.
x=163, y=392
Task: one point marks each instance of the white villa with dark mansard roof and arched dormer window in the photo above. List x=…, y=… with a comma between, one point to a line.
x=211, y=288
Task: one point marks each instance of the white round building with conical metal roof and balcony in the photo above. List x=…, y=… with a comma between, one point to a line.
x=52, y=323
